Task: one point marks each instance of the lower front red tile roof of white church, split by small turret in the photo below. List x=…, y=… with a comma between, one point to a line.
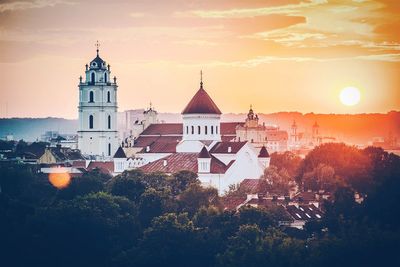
x=183, y=161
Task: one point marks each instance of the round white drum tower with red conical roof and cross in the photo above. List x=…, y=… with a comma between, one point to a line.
x=201, y=118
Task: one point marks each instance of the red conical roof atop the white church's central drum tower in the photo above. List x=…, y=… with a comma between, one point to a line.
x=201, y=103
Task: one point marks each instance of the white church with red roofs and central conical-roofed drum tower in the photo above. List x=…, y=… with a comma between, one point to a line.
x=201, y=144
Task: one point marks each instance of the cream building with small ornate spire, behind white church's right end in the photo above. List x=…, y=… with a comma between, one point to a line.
x=274, y=139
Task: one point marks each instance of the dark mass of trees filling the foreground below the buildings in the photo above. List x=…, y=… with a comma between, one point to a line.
x=138, y=219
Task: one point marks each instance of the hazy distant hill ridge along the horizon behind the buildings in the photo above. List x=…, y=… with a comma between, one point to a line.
x=357, y=128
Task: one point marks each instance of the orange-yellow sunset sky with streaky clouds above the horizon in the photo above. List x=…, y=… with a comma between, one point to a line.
x=282, y=55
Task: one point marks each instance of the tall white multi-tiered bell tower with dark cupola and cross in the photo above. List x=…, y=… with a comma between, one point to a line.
x=97, y=134
